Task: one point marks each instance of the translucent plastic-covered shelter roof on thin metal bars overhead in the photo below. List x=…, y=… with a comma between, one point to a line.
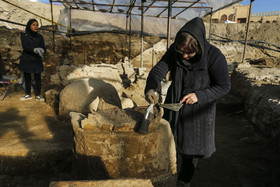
x=181, y=9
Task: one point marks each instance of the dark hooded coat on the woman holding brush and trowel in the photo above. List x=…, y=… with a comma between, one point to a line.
x=206, y=75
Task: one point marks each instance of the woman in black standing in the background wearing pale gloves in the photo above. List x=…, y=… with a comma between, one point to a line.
x=31, y=60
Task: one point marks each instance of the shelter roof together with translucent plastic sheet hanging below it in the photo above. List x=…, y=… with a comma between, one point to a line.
x=124, y=15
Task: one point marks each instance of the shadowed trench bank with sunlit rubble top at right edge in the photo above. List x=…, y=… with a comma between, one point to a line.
x=260, y=87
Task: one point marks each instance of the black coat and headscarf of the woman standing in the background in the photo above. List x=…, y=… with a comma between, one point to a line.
x=30, y=62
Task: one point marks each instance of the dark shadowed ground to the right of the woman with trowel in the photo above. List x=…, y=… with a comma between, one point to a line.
x=243, y=156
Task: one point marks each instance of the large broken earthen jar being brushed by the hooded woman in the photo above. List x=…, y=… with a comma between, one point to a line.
x=106, y=145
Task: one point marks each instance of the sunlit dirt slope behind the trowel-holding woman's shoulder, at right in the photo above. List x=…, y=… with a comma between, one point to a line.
x=263, y=42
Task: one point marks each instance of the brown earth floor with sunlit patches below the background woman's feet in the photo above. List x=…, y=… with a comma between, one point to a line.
x=35, y=146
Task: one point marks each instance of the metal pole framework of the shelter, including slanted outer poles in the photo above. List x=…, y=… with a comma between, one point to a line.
x=129, y=13
